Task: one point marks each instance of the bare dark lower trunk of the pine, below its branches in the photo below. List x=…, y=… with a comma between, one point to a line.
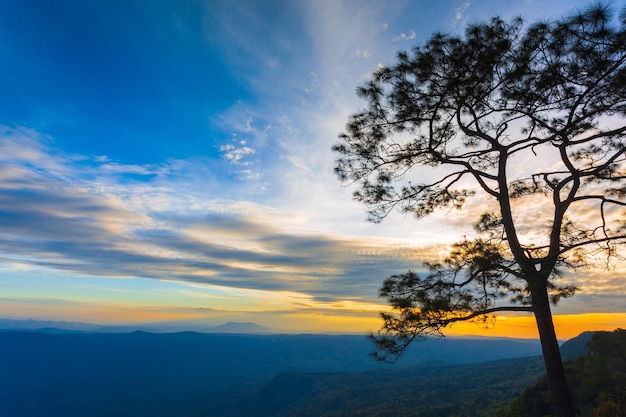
x=561, y=396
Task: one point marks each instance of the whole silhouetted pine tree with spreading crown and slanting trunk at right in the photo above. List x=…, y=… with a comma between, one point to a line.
x=469, y=110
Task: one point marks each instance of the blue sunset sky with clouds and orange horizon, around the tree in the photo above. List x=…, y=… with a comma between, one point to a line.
x=170, y=161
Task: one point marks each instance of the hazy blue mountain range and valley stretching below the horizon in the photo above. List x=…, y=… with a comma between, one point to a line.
x=76, y=369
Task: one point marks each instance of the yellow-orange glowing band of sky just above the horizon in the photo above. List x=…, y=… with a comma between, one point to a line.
x=318, y=318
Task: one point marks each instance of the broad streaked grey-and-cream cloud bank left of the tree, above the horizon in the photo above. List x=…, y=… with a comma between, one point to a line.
x=65, y=224
